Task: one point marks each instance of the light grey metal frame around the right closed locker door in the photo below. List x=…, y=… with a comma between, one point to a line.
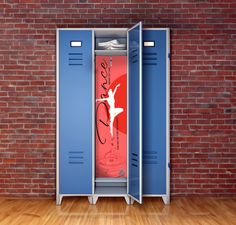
x=166, y=197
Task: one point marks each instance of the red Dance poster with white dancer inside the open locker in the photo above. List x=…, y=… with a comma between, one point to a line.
x=111, y=119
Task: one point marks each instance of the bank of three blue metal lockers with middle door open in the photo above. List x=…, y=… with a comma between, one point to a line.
x=146, y=53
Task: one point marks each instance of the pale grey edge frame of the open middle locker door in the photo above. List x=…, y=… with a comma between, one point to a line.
x=140, y=117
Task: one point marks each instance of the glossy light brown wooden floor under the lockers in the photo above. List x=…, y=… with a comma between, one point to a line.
x=109, y=211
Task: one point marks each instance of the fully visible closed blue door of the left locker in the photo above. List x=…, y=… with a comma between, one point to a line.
x=75, y=112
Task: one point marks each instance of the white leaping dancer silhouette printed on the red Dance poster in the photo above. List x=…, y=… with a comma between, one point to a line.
x=113, y=111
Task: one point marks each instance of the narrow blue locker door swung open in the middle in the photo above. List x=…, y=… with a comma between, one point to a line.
x=134, y=48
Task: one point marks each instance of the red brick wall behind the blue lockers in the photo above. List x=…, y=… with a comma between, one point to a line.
x=203, y=88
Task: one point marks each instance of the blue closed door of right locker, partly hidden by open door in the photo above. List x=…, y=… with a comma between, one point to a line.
x=154, y=113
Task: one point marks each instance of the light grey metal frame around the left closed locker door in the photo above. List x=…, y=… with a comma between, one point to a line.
x=58, y=195
